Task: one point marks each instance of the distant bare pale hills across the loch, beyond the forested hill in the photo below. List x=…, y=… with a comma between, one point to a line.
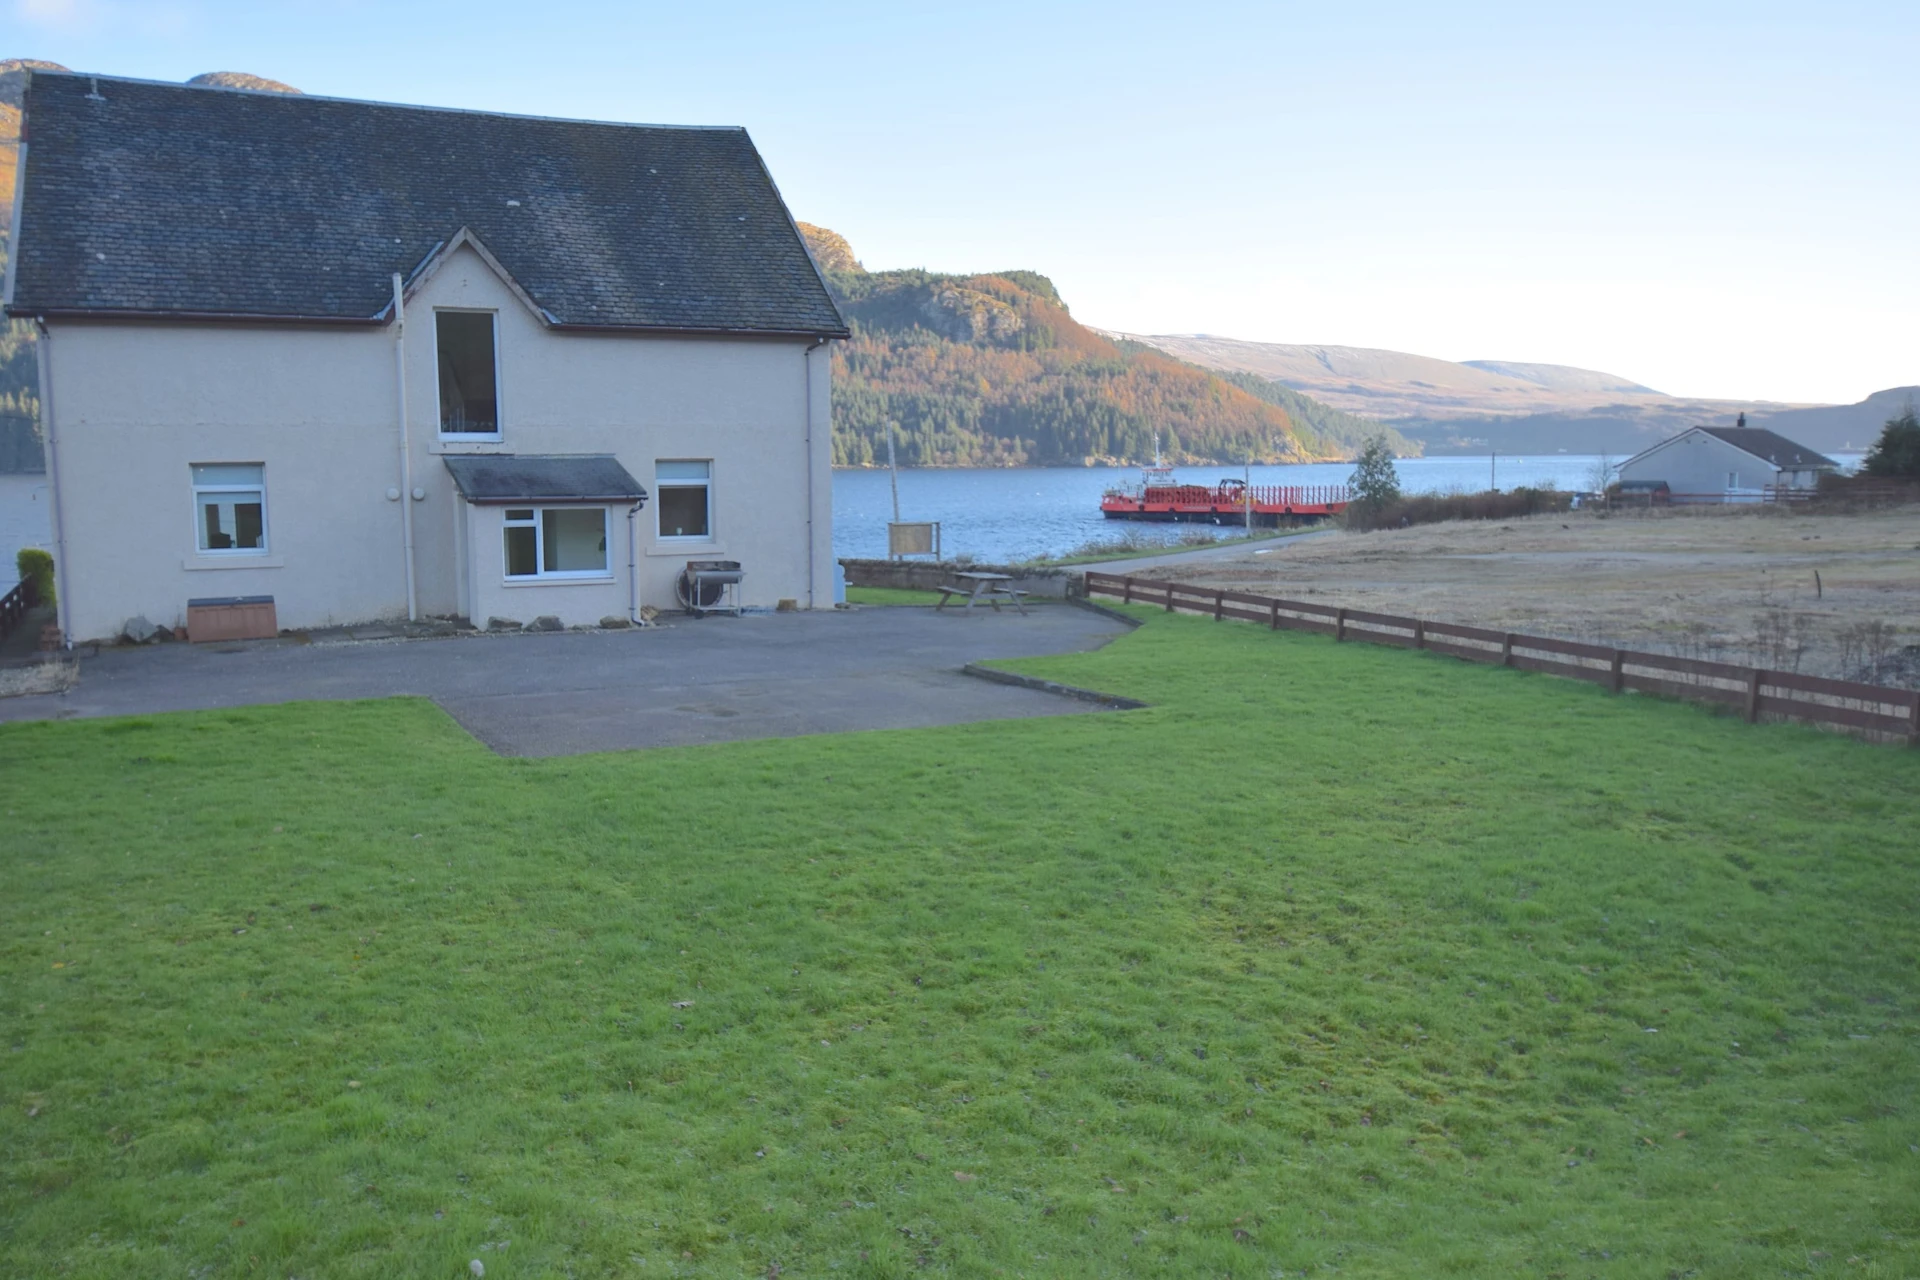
x=1468, y=406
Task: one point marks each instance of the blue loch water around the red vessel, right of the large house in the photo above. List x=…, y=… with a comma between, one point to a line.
x=1020, y=513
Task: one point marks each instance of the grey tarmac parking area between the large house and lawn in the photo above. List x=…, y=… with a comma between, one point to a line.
x=667, y=686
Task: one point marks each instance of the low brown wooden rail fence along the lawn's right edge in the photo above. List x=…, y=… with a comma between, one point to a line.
x=1877, y=711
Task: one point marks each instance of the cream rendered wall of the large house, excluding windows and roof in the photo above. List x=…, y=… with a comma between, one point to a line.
x=139, y=404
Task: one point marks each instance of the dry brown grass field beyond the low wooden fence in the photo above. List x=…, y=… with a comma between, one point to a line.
x=1790, y=590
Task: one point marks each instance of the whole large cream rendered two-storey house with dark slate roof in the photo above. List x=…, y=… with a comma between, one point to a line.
x=383, y=362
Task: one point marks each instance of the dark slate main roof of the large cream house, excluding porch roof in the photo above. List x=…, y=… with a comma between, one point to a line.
x=178, y=201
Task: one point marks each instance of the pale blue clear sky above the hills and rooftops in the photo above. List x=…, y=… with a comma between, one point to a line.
x=1710, y=199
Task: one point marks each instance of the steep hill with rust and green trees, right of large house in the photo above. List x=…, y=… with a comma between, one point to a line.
x=992, y=371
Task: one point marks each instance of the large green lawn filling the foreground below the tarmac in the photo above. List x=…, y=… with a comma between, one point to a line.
x=1333, y=960
